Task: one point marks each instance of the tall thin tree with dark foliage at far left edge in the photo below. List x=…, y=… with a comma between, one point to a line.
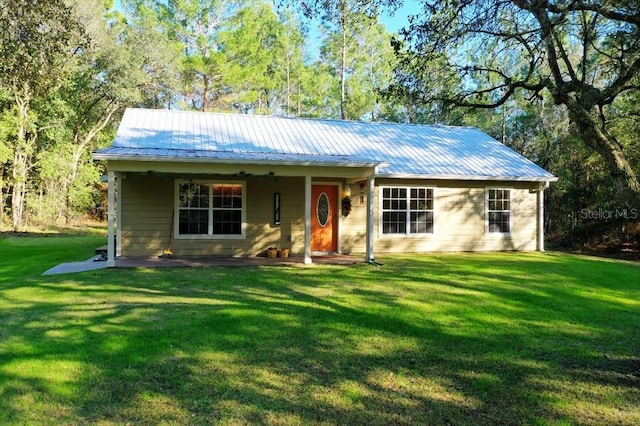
x=37, y=37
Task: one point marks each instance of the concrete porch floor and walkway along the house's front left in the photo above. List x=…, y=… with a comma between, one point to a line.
x=210, y=261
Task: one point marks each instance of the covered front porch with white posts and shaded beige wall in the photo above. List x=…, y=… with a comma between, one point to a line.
x=278, y=208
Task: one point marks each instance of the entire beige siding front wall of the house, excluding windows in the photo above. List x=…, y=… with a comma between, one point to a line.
x=147, y=205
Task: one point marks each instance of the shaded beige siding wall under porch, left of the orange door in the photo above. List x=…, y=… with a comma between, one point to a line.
x=147, y=212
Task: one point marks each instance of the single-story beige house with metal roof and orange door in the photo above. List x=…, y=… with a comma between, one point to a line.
x=233, y=185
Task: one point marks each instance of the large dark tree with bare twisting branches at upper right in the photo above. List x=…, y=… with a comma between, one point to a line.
x=582, y=55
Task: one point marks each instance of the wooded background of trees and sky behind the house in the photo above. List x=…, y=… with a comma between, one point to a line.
x=558, y=81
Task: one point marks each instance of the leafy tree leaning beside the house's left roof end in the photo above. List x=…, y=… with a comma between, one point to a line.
x=111, y=73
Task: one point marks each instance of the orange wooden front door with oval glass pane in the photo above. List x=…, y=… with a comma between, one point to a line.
x=324, y=218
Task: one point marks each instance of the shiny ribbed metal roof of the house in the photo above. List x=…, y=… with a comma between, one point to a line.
x=402, y=150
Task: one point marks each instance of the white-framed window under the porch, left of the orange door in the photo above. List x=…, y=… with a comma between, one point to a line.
x=210, y=209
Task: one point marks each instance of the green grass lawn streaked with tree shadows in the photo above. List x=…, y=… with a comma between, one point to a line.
x=431, y=339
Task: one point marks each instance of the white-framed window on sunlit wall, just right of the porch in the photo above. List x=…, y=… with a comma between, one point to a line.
x=407, y=210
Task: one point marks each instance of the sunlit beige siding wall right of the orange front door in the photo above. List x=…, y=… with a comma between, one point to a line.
x=459, y=219
